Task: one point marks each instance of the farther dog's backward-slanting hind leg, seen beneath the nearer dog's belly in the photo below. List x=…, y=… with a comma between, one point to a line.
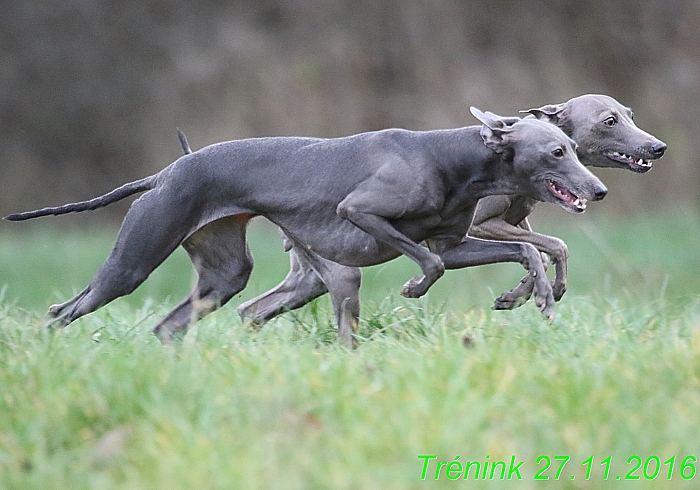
x=301, y=286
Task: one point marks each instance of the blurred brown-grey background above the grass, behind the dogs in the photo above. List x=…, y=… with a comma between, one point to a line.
x=91, y=91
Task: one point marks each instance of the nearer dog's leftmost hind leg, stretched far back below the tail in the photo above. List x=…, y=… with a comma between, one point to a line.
x=141, y=247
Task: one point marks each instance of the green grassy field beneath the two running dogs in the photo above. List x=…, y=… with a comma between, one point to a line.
x=102, y=404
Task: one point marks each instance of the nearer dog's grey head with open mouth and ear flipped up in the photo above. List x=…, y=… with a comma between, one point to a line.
x=541, y=160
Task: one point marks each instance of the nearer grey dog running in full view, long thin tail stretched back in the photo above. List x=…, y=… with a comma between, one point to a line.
x=344, y=203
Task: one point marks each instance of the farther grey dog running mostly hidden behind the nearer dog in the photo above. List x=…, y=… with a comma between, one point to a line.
x=606, y=136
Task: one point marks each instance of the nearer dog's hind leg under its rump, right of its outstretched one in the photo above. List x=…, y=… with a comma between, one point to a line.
x=223, y=262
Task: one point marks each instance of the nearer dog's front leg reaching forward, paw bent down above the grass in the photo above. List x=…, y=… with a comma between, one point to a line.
x=473, y=251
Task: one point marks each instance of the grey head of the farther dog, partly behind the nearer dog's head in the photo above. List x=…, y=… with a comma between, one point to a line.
x=605, y=132
